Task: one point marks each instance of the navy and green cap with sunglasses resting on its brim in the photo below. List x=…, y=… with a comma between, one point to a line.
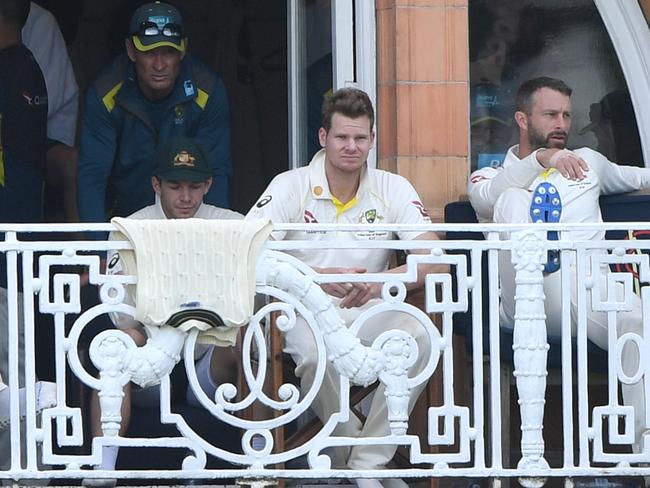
x=156, y=25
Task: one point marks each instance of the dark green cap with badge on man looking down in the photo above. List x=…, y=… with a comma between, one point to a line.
x=181, y=159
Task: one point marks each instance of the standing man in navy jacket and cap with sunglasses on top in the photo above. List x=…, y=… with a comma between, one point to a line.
x=154, y=92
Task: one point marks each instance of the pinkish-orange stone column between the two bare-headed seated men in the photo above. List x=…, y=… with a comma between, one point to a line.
x=423, y=91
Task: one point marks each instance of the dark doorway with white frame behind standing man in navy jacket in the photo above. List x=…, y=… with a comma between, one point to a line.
x=250, y=44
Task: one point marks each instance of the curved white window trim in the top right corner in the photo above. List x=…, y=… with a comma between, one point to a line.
x=630, y=35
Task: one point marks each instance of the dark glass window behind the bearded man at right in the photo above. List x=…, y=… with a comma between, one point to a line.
x=512, y=41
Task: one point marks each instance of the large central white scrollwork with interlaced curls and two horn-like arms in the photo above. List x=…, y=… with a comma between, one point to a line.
x=388, y=360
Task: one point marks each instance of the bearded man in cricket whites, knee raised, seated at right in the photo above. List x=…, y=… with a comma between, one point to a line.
x=541, y=181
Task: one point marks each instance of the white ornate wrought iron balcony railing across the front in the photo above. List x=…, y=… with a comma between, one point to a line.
x=461, y=435
